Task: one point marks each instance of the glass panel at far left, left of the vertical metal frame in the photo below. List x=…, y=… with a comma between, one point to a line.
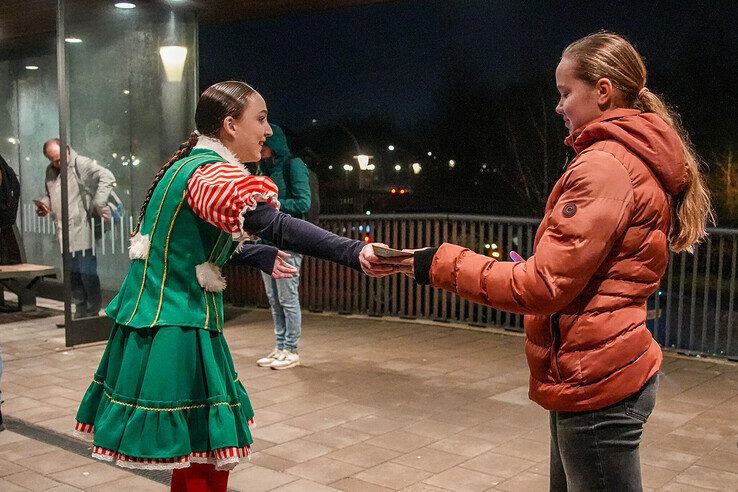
x=28, y=112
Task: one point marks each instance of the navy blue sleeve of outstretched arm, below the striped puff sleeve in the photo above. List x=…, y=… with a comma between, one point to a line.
x=291, y=234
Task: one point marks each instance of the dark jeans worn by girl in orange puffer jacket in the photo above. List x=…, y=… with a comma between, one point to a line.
x=598, y=450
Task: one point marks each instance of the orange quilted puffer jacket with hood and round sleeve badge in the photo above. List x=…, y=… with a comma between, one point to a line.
x=600, y=252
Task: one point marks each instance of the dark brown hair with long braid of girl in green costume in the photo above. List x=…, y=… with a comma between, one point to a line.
x=215, y=104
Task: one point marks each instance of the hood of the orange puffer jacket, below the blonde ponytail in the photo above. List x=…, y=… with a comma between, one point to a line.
x=646, y=135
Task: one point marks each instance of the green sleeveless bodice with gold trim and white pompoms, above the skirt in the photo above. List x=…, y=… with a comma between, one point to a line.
x=176, y=281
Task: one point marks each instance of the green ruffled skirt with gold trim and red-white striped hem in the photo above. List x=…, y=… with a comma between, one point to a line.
x=164, y=397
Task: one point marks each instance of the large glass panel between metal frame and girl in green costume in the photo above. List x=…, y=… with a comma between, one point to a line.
x=131, y=78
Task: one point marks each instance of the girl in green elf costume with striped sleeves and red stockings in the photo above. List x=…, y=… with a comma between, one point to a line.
x=166, y=394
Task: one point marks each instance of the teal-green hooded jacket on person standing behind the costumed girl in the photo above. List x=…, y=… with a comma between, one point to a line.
x=294, y=197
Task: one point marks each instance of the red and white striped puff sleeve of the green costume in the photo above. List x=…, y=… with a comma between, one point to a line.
x=219, y=193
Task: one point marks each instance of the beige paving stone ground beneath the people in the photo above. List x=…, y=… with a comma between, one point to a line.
x=376, y=405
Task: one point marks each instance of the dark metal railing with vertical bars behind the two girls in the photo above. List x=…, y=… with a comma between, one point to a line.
x=694, y=311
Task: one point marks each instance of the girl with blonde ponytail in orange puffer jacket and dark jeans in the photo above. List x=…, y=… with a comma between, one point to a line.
x=633, y=191
